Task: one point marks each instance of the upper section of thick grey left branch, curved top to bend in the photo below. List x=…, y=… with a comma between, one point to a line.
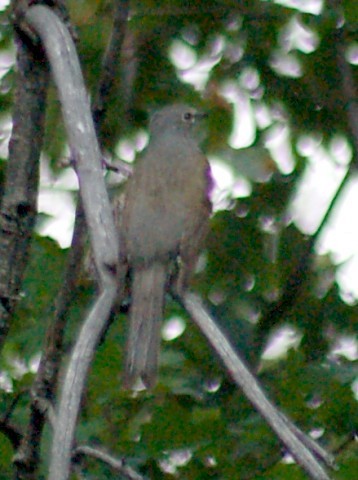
x=85, y=151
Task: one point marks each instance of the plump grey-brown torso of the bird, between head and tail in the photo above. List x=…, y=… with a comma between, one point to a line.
x=166, y=194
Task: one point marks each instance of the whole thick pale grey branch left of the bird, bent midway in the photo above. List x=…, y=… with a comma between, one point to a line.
x=67, y=75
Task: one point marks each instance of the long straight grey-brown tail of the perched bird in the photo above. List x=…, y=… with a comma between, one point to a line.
x=146, y=312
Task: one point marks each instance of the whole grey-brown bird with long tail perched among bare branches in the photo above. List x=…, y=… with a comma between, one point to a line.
x=164, y=222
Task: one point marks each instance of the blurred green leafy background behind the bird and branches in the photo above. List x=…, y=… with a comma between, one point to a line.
x=195, y=424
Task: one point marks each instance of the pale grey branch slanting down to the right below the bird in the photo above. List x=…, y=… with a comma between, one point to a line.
x=304, y=450
